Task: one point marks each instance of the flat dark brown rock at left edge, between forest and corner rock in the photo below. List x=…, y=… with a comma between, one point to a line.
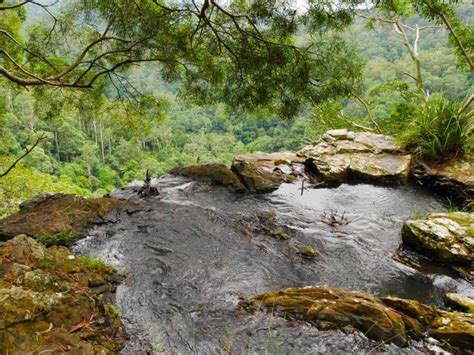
x=56, y=219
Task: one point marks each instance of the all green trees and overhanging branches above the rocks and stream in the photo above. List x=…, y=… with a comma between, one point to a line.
x=104, y=90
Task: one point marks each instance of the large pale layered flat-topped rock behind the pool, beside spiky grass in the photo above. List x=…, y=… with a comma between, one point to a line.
x=344, y=155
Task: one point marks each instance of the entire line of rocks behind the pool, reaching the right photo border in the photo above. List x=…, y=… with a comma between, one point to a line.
x=339, y=156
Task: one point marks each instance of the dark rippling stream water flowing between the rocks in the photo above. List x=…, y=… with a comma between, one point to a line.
x=194, y=253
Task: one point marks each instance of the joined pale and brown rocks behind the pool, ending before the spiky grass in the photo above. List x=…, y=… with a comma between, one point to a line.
x=339, y=156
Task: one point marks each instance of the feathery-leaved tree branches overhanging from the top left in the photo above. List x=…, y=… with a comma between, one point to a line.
x=238, y=52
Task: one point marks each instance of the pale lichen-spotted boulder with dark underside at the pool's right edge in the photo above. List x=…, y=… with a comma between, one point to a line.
x=446, y=237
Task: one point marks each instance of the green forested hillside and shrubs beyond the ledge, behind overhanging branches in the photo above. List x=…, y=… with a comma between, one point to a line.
x=93, y=141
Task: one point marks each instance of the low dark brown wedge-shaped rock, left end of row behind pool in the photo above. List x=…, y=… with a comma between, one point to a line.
x=217, y=174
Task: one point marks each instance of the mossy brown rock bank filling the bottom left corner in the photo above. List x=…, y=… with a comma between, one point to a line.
x=51, y=302
